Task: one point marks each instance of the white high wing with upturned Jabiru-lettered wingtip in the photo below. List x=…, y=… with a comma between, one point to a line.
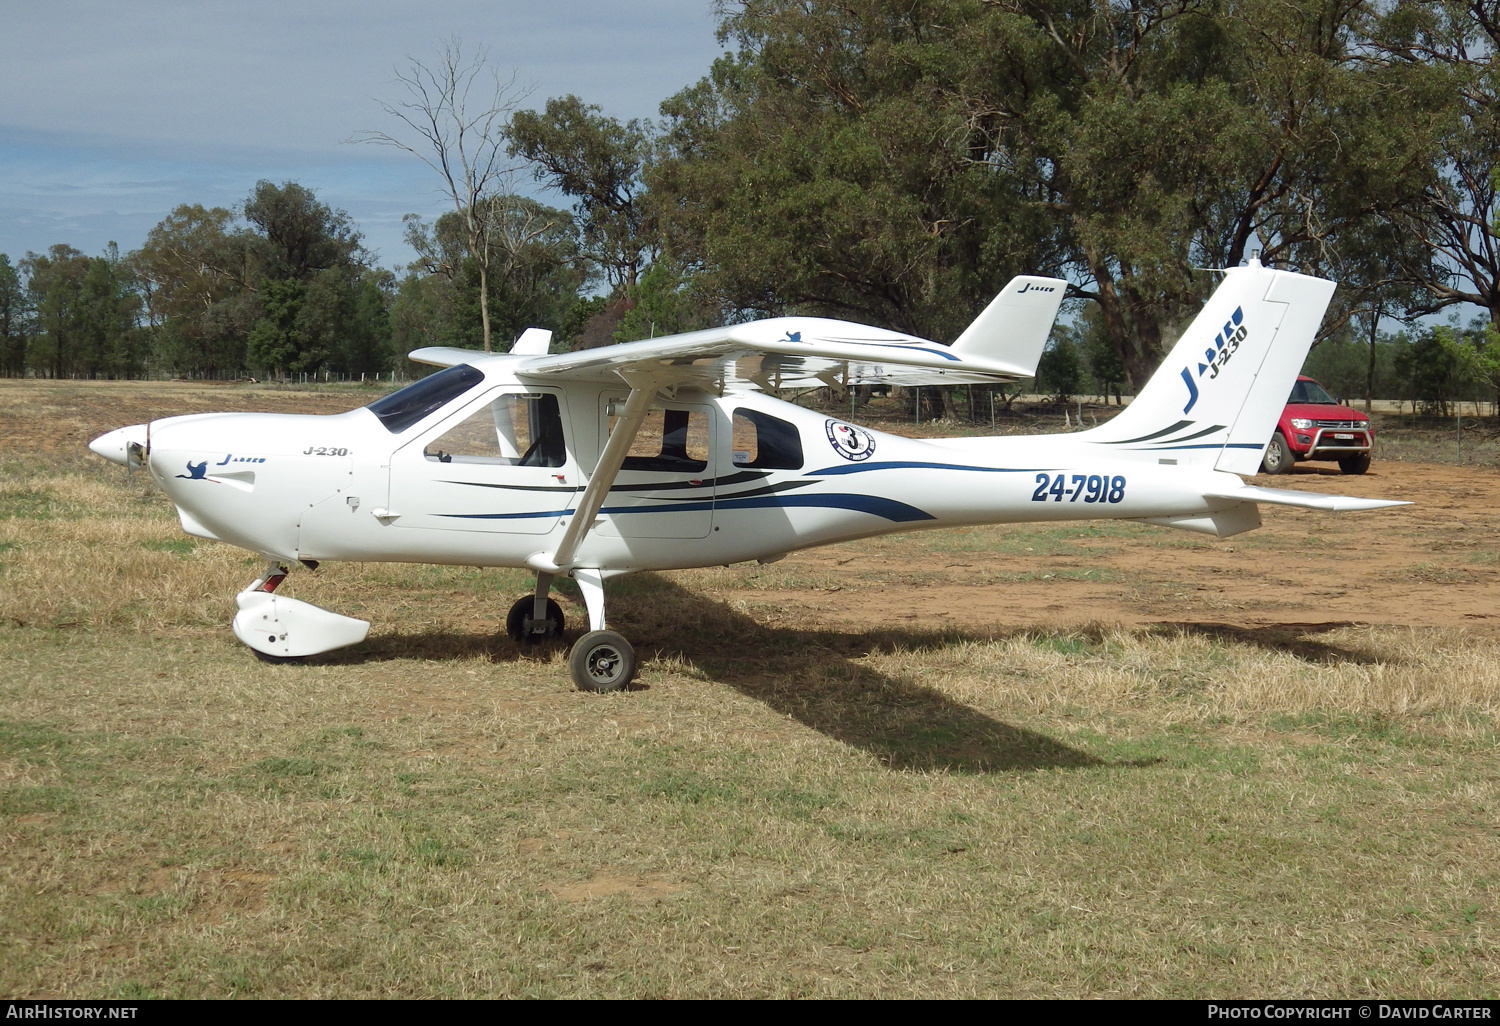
x=1004, y=344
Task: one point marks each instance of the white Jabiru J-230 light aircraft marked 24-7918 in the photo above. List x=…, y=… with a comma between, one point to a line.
x=667, y=454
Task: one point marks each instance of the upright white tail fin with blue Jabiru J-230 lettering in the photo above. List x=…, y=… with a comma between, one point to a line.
x=1217, y=397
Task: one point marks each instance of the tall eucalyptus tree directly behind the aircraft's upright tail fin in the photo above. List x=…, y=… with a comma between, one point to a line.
x=1181, y=134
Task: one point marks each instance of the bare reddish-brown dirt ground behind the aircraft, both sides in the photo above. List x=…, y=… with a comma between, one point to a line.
x=1433, y=563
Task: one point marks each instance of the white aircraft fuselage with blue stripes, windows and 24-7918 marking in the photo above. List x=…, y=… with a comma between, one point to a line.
x=712, y=481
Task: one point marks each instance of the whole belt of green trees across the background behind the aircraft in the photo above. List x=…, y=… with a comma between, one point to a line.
x=887, y=161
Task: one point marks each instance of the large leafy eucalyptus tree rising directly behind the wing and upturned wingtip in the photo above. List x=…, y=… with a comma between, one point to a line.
x=823, y=169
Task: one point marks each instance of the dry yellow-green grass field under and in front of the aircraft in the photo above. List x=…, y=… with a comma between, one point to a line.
x=785, y=806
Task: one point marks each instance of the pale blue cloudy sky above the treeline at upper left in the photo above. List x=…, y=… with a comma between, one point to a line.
x=115, y=113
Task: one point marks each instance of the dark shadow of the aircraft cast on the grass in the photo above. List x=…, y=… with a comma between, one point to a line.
x=806, y=674
